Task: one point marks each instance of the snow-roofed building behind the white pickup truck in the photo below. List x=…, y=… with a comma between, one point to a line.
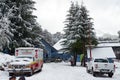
x=106, y=49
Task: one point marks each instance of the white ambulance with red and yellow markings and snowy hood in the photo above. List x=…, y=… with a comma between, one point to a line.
x=28, y=60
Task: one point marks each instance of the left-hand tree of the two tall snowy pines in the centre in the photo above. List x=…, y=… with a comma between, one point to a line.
x=69, y=23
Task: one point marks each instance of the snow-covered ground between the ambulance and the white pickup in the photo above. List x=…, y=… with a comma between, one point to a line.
x=63, y=71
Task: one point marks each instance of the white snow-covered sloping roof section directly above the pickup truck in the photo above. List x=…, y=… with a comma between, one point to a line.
x=106, y=52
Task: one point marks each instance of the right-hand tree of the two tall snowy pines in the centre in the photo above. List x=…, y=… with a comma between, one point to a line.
x=87, y=31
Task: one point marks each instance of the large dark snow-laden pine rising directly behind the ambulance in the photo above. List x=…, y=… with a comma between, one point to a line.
x=23, y=22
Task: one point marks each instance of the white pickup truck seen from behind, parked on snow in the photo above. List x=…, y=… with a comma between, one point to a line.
x=101, y=65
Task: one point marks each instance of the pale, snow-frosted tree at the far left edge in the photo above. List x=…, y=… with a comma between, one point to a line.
x=5, y=34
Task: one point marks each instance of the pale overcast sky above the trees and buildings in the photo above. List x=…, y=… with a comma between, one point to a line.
x=106, y=14
